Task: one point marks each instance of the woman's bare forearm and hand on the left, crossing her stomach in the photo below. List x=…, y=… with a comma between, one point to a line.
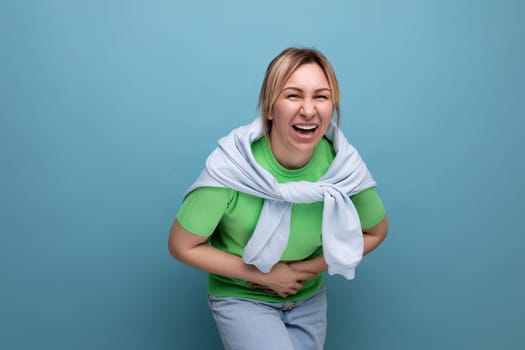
x=194, y=250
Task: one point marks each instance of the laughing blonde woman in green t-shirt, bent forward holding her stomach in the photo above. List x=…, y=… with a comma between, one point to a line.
x=281, y=200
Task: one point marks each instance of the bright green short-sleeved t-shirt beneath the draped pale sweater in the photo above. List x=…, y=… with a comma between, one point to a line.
x=229, y=218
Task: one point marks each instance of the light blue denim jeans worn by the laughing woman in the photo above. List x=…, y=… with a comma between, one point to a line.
x=247, y=324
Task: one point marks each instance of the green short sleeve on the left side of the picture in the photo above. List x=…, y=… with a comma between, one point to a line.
x=203, y=209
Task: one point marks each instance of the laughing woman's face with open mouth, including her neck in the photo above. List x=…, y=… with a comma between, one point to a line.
x=300, y=116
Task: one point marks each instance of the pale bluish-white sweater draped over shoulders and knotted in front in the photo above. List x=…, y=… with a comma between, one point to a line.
x=233, y=165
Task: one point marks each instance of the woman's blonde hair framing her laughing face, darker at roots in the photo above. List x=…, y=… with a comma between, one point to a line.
x=279, y=71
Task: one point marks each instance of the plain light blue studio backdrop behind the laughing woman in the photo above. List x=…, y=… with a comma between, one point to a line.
x=109, y=108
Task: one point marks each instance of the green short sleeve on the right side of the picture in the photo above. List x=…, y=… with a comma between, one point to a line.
x=369, y=207
